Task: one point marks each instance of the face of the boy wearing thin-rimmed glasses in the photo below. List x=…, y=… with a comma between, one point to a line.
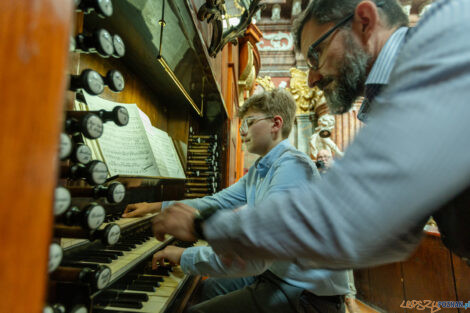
x=256, y=132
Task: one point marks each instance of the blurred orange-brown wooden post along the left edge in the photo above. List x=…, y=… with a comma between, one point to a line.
x=33, y=54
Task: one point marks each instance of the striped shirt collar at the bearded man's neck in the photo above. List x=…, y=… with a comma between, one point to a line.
x=382, y=68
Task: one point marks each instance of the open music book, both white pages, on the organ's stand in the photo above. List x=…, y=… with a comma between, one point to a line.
x=137, y=149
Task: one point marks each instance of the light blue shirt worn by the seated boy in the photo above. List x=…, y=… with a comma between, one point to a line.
x=283, y=168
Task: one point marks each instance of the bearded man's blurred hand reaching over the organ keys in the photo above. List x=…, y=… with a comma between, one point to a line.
x=176, y=220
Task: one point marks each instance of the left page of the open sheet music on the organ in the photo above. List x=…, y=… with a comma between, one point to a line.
x=125, y=150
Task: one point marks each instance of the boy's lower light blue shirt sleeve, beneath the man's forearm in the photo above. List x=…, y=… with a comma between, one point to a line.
x=204, y=261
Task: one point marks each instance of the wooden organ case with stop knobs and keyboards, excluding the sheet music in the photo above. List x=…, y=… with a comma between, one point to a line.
x=168, y=73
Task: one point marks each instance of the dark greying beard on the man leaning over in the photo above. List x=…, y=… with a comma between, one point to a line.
x=352, y=75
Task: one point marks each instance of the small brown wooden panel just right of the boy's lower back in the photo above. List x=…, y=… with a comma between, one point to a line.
x=387, y=287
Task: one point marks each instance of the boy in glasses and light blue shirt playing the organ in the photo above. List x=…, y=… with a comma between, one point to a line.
x=280, y=286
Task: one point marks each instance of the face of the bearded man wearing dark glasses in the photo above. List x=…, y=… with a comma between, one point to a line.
x=342, y=65
